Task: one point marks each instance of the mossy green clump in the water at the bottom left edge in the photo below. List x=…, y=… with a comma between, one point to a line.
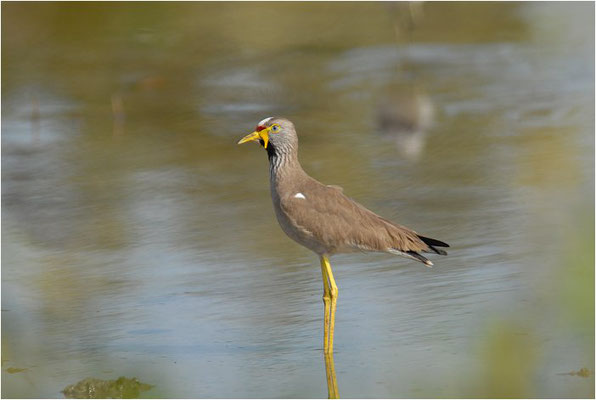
x=121, y=388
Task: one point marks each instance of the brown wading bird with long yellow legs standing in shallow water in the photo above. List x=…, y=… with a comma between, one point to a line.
x=323, y=219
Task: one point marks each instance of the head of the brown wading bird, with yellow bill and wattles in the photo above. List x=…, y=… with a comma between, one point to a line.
x=274, y=134
